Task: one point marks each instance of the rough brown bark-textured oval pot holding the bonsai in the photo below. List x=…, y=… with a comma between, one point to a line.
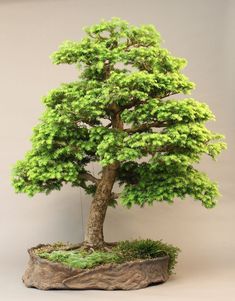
x=45, y=275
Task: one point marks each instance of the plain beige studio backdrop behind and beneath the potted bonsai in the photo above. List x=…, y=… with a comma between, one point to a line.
x=201, y=31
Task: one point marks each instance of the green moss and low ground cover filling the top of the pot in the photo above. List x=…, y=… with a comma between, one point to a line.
x=124, y=251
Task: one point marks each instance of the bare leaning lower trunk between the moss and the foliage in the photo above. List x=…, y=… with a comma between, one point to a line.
x=94, y=233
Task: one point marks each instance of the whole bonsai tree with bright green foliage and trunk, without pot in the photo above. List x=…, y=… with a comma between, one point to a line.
x=121, y=114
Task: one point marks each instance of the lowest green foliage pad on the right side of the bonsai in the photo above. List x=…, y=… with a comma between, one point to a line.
x=174, y=178
